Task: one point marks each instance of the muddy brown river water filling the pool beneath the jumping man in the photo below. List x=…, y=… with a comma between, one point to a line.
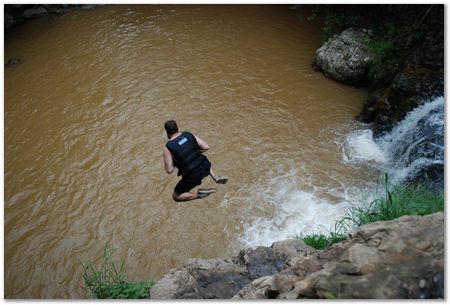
x=84, y=115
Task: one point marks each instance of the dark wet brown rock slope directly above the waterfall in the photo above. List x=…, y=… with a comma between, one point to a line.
x=420, y=79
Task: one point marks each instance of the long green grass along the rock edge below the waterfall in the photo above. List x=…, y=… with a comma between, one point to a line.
x=393, y=202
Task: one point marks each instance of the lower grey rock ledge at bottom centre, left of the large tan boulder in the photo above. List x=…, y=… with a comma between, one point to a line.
x=222, y=279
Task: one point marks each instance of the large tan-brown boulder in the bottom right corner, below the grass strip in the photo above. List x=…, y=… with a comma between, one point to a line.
x=402, y=258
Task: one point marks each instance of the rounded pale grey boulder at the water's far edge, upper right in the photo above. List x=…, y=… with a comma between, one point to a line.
x=345, y=58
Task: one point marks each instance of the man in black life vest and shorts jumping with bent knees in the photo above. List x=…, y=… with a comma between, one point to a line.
x=185, y=151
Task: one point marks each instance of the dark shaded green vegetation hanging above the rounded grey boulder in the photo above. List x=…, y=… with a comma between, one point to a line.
x=394, y=30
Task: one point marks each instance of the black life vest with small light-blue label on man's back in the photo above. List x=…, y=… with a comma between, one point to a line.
x=186, y=152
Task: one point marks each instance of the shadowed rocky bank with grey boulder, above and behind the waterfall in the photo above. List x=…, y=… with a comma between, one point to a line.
x=407, y=82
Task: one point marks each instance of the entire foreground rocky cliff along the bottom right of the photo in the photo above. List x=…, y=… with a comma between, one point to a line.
x=402, y=258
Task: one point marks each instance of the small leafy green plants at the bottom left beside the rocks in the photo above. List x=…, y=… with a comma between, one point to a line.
x=108, y=282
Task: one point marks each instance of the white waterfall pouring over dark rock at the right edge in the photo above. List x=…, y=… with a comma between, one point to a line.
x=413, y=148
